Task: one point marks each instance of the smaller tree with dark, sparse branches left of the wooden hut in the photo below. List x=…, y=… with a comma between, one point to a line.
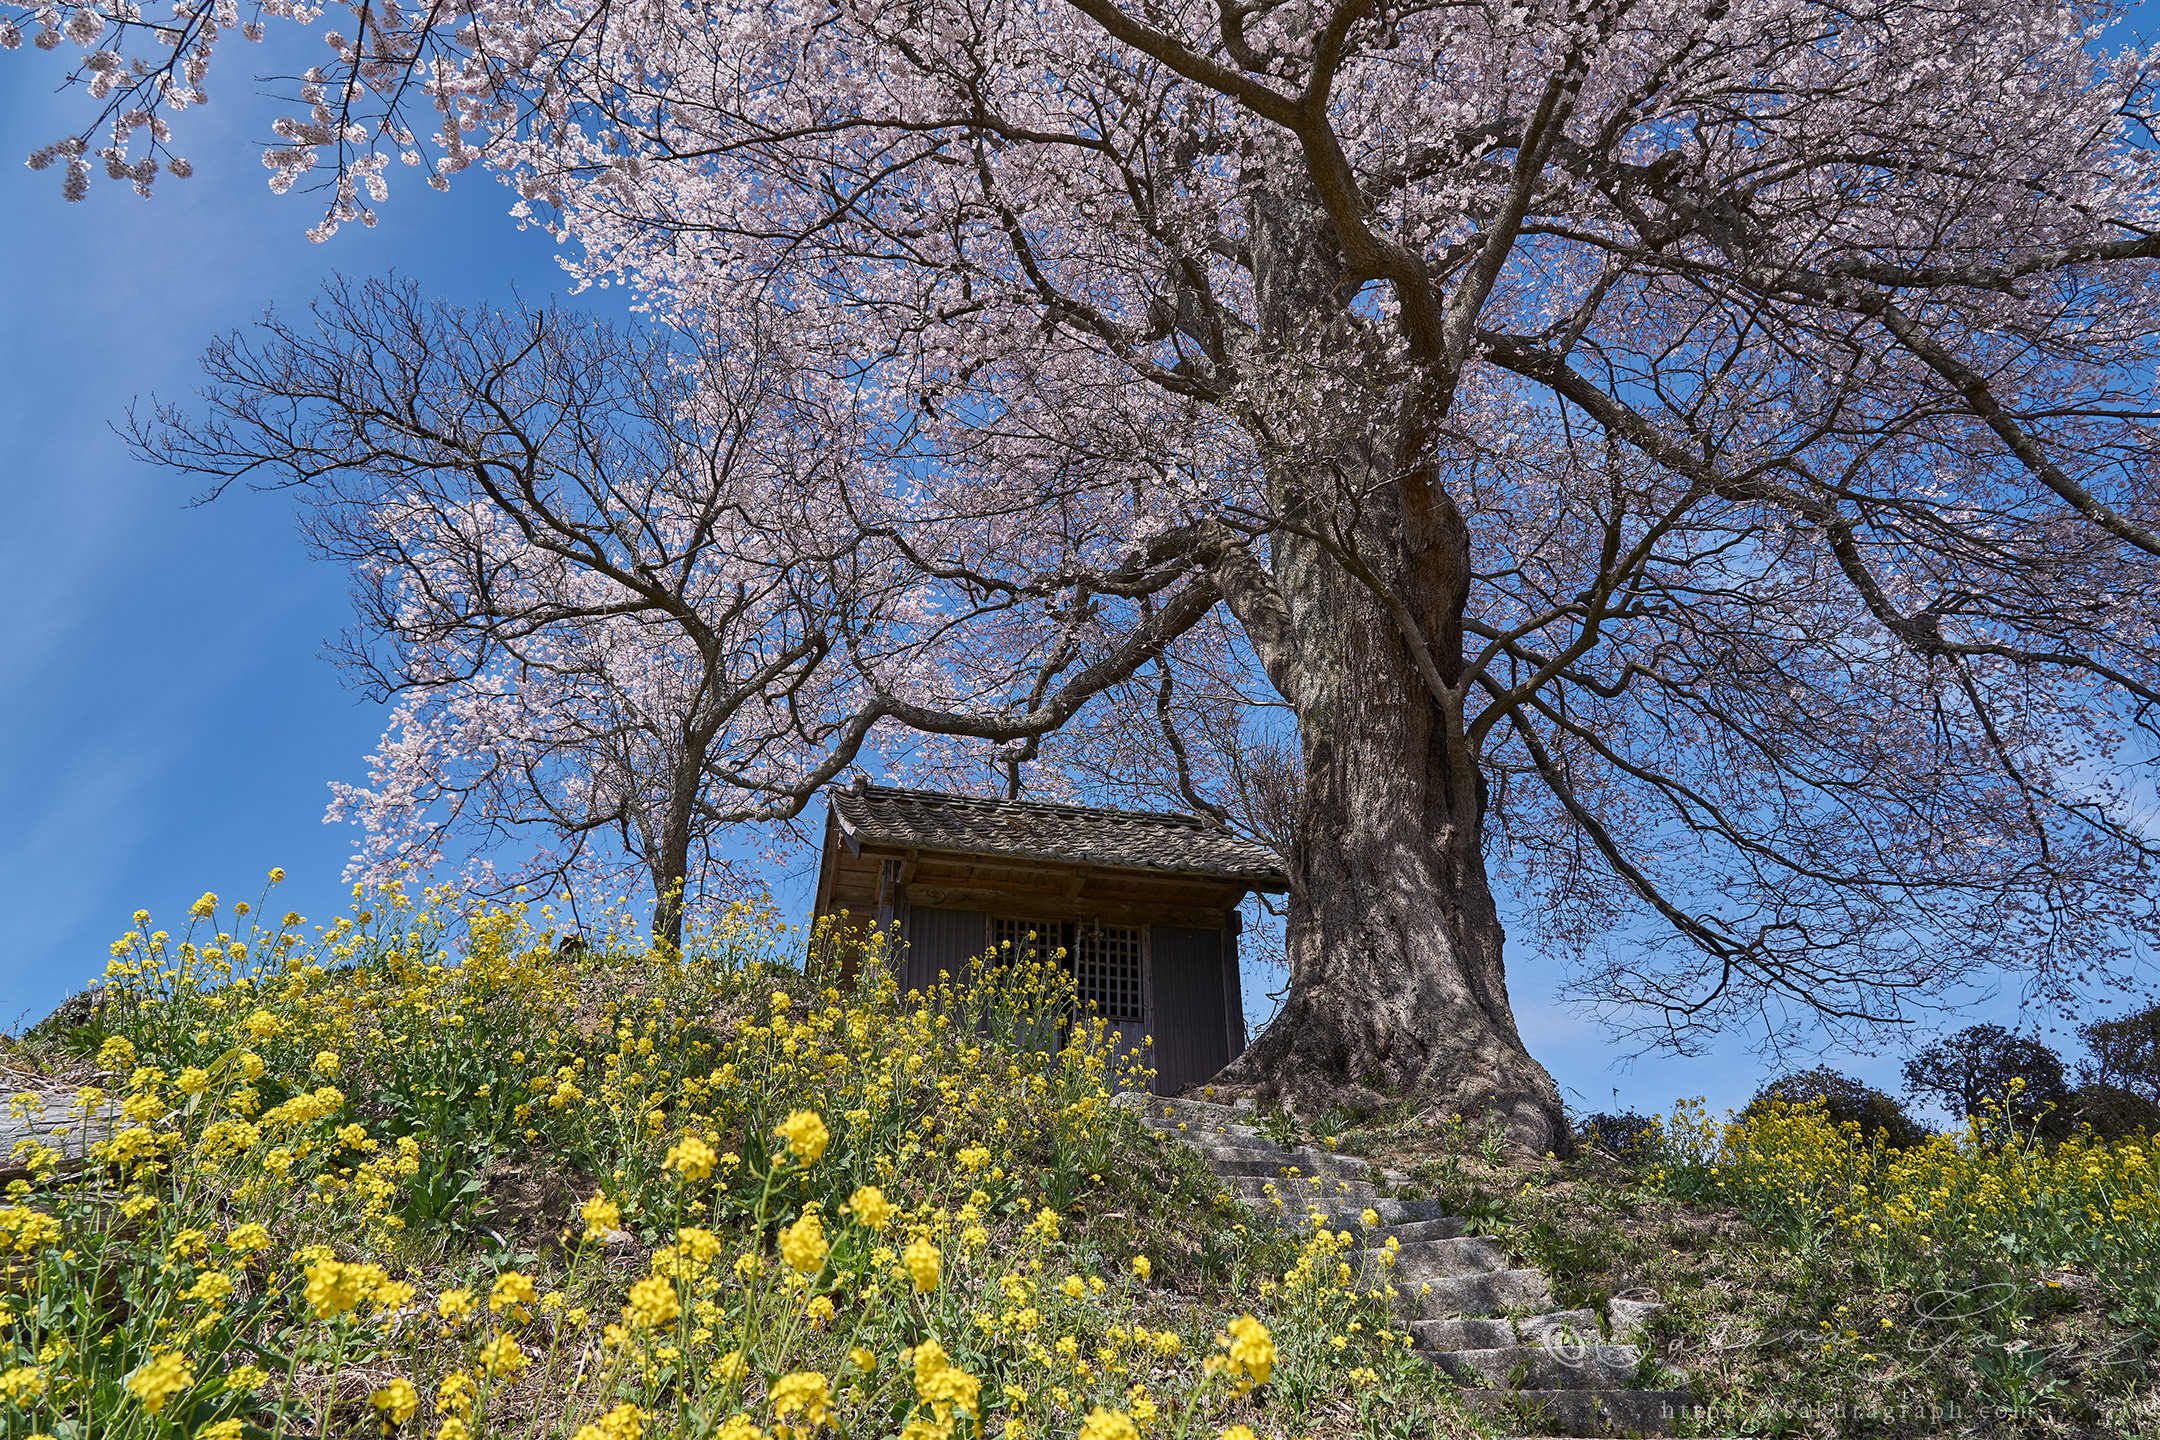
x=584, y=569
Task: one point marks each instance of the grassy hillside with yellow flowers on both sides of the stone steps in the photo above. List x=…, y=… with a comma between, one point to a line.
x=409, y=1178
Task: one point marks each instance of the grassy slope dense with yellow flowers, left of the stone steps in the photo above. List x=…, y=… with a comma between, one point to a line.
x=357, y=1188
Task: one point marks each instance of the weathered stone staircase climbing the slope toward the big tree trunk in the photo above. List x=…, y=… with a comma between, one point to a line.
x=1489, y=1324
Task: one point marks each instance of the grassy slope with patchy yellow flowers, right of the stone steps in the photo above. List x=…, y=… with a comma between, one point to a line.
x=1818, y=1281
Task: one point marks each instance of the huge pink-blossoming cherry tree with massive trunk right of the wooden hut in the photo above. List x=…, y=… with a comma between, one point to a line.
x=1688, y=454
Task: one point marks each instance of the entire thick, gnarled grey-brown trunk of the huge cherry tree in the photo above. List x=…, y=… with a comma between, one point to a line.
x=1396, y=981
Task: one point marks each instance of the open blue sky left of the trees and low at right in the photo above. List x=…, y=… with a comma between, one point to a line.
x=170, y=724
